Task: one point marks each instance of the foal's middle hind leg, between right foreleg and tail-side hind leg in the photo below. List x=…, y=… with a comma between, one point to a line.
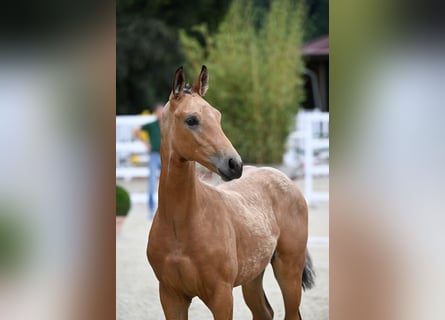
x=256, y=299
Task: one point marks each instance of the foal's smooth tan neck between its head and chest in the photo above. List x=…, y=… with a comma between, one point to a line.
x=177, y=187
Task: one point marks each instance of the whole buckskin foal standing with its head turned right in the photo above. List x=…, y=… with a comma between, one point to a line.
x=205, y=240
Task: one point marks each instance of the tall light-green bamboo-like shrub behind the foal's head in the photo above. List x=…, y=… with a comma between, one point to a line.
x=254, y=71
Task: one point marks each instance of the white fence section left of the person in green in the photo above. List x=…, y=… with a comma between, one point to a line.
x=129, y=148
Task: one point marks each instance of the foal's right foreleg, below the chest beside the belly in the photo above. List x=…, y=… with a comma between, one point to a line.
x=220, y=302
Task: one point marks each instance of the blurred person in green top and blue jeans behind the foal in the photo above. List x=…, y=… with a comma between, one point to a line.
x=154, y=149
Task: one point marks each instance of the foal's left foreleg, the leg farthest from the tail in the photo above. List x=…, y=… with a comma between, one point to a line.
x=174, y=304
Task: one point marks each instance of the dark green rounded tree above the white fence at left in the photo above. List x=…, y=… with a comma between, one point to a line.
x=147, y=51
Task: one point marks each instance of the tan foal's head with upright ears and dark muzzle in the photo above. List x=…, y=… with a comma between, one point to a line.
x=191, y=128
